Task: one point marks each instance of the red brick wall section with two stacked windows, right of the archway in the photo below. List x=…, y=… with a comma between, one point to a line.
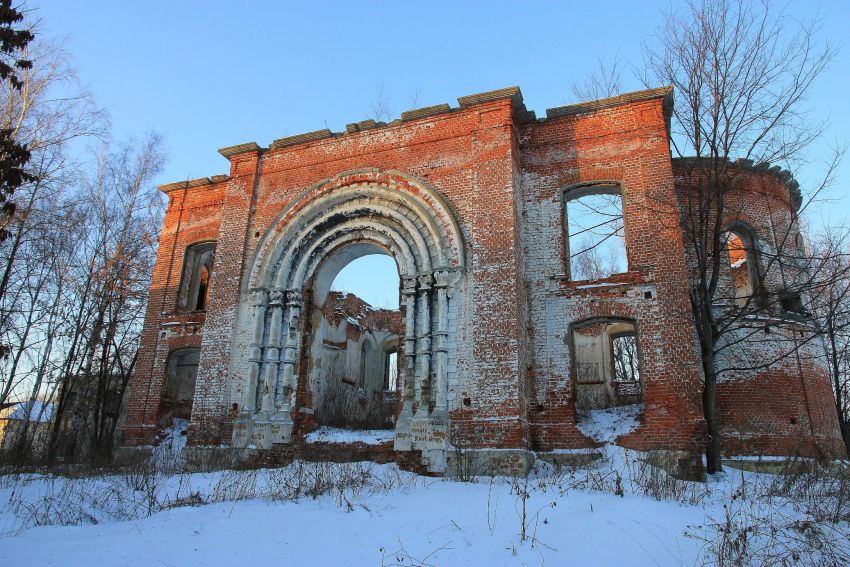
x=627, y=145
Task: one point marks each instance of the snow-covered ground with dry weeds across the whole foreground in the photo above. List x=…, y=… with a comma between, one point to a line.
x=617, y=511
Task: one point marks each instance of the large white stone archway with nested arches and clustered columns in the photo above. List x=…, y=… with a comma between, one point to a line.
x=355, y=213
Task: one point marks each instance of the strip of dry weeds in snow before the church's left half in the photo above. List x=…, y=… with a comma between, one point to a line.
x=143, y=490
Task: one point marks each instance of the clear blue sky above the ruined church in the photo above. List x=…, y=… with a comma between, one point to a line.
x=212, y=74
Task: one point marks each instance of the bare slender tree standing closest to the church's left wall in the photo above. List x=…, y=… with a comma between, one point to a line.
x=115, y=263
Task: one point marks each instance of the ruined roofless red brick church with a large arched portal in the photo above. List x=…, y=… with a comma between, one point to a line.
x=514, y=322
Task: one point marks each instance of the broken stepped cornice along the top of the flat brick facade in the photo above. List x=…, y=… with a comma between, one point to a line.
x=513, y=93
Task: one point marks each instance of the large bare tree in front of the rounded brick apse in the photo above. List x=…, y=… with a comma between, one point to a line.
x=740, y=73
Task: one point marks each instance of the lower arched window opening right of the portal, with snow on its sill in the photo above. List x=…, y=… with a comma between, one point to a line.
x=606, y=363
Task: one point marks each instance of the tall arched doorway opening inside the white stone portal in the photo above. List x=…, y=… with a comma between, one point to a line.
x=357, y=328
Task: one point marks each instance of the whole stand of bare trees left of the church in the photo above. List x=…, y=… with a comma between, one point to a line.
x=76, y=267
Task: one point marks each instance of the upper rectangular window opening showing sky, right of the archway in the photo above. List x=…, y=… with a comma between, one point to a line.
x=595, y=231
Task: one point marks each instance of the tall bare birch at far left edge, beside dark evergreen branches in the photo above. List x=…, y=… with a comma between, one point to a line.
x=47, y=113
